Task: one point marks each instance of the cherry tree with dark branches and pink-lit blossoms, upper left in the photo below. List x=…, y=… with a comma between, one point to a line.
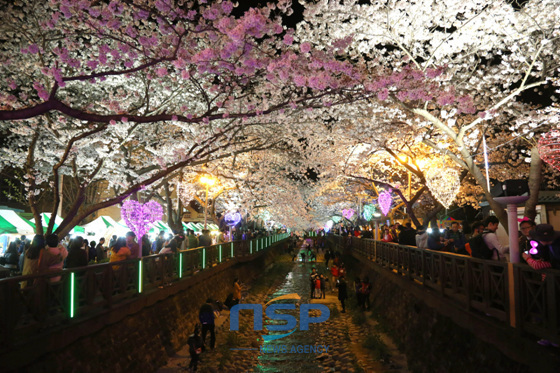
x=132, y=91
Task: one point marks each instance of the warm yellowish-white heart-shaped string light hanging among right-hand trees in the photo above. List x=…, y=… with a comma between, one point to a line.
x=443, y=182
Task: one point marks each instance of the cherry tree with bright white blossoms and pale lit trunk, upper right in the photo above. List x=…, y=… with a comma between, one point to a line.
x=491, y=51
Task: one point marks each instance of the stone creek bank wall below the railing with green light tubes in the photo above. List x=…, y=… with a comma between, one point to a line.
x=140, y=335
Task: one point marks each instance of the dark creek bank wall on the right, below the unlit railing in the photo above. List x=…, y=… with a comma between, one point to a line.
x=438, y=337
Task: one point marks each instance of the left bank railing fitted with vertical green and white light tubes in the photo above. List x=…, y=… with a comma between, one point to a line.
x=29, y=304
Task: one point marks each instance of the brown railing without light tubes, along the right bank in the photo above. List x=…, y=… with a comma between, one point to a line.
x=513, y=293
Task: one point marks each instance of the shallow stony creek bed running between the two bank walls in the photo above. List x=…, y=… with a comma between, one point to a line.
x=240, y=351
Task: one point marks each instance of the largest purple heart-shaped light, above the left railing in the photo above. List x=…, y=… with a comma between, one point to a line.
x=138, y=217
